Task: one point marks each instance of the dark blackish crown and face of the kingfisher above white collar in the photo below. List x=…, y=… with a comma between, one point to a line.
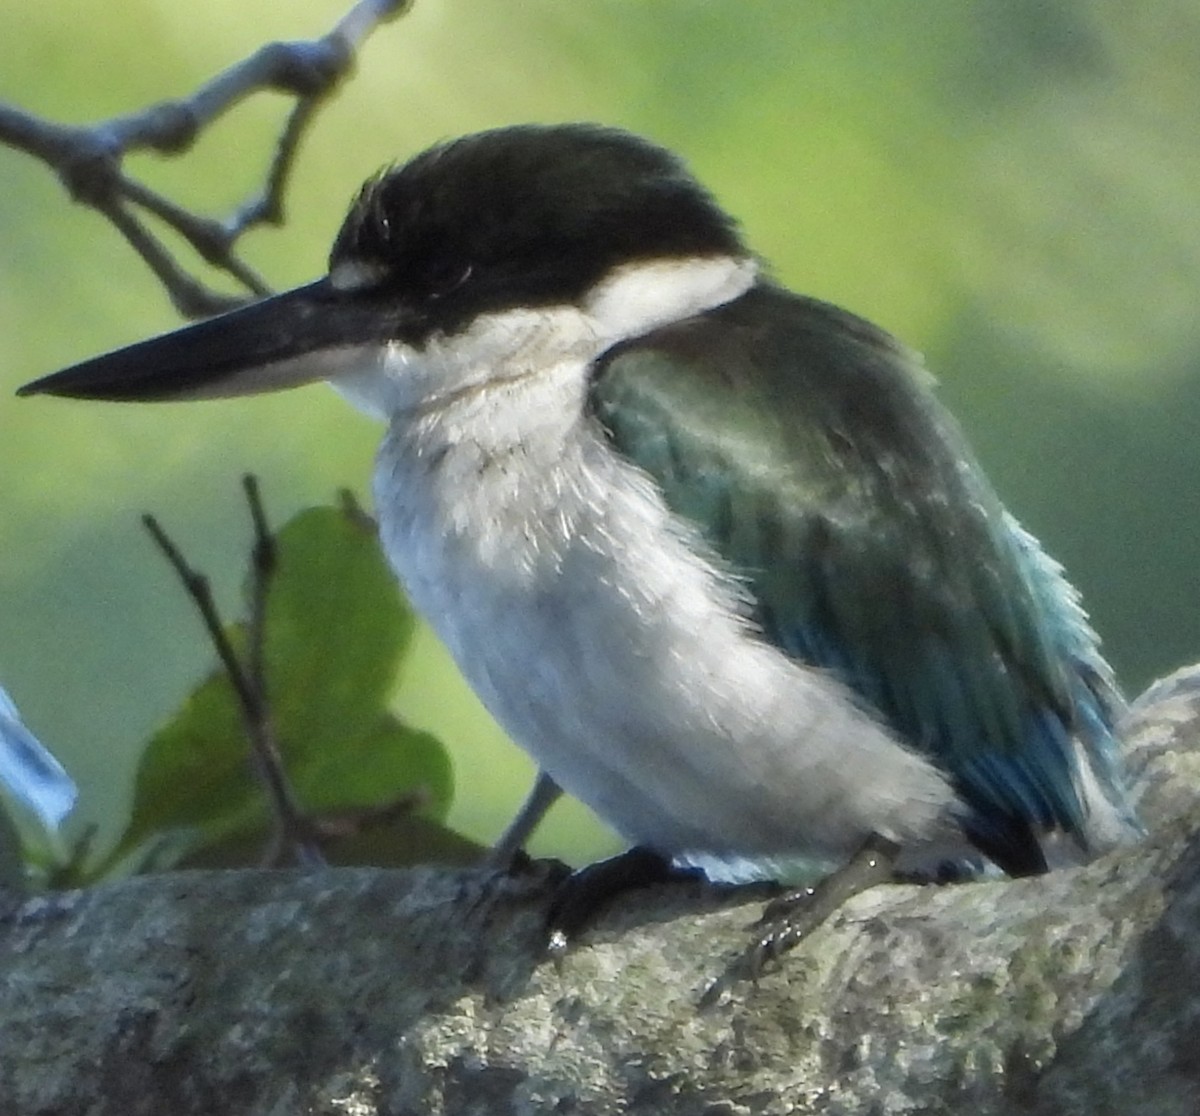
x=526, y=217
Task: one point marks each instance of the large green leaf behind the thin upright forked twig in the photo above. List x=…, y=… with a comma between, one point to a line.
x=337, y=632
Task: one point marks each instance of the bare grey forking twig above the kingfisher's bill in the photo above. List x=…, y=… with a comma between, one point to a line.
x=89, y=160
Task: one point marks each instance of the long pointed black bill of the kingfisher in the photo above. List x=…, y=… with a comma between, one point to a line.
x=308, y=334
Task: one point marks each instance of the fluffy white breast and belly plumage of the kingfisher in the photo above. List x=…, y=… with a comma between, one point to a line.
x=590, y=623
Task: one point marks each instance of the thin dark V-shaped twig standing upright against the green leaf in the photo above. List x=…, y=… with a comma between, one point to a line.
x=293, y=832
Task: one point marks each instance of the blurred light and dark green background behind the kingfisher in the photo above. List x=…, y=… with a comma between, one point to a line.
x=1013, y=189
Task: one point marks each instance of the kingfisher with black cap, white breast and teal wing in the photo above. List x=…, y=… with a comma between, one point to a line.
x=710, y=551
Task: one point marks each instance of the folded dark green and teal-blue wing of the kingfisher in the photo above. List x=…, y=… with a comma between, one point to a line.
x=811, y=451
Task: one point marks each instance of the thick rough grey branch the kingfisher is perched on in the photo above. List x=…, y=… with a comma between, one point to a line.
x=371, y=992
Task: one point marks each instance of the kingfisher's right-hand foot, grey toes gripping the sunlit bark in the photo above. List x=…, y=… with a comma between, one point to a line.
x=793, y=917
